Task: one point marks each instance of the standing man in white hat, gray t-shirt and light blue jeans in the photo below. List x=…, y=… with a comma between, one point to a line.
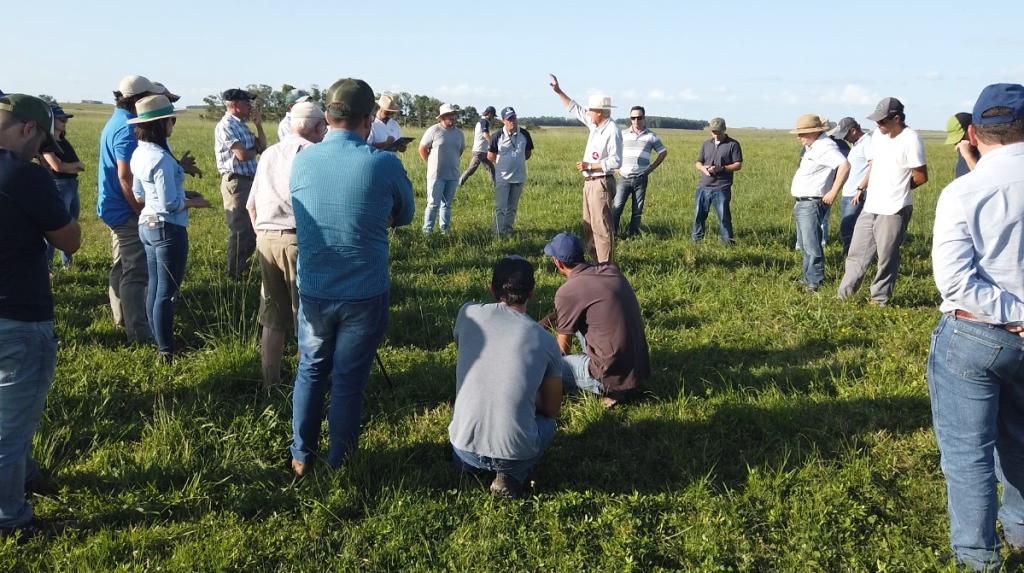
x=442, y=148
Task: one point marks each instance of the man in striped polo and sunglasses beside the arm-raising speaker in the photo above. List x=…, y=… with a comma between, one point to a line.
x=638, y=143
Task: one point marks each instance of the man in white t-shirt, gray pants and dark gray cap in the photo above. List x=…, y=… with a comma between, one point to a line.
x=899, y=166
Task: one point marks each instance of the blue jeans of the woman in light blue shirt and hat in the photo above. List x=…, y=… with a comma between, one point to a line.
x=166, y=255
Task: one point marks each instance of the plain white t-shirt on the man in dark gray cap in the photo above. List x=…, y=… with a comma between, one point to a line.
x=893, y=160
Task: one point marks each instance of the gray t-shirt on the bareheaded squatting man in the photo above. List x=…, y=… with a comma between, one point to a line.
x=504, y=357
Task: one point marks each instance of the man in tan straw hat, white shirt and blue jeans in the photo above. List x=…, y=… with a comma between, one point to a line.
x=817, y=184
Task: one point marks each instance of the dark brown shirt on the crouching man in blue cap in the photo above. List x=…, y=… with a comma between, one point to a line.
x=599, y=302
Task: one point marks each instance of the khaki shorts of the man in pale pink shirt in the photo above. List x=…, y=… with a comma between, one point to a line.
x=279, y=253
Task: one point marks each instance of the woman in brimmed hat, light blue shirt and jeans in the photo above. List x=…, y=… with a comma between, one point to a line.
x=164, y=222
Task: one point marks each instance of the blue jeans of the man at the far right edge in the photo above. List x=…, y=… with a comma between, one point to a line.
x=976, y=382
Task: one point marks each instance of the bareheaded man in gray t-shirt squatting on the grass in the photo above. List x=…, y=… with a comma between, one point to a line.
x=508, y=383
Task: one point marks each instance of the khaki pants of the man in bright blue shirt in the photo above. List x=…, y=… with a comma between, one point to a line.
x=129, y=280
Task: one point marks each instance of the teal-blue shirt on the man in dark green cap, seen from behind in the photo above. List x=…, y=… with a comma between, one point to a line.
x=346, y=195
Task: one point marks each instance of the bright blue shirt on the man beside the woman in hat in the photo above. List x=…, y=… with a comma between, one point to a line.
x=117, y=143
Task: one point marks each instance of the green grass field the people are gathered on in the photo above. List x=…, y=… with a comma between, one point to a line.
x=784, y=431
